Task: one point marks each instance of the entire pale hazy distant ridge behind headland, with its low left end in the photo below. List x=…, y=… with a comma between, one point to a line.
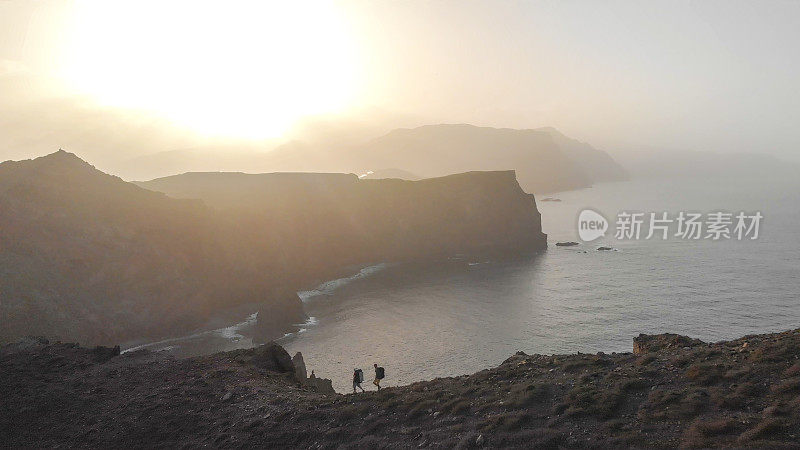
x=544, y=159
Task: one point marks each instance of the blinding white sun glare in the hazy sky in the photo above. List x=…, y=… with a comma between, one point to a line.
x=222, y=68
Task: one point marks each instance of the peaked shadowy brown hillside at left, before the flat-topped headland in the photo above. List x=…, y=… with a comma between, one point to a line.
x=88, y=256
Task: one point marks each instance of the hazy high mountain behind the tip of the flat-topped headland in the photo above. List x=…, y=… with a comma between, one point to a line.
x=544, y=159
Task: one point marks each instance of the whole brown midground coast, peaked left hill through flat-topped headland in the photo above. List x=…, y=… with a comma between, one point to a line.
x=86, y=256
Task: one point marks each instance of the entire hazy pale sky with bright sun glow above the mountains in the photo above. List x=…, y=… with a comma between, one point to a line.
x=117, y=79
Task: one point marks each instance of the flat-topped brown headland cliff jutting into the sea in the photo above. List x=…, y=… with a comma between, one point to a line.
x=307, y=226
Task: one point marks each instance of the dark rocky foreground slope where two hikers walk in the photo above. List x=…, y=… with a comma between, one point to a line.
x=672, y=392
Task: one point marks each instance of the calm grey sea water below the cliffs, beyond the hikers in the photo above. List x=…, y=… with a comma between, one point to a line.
x=458, y=317
